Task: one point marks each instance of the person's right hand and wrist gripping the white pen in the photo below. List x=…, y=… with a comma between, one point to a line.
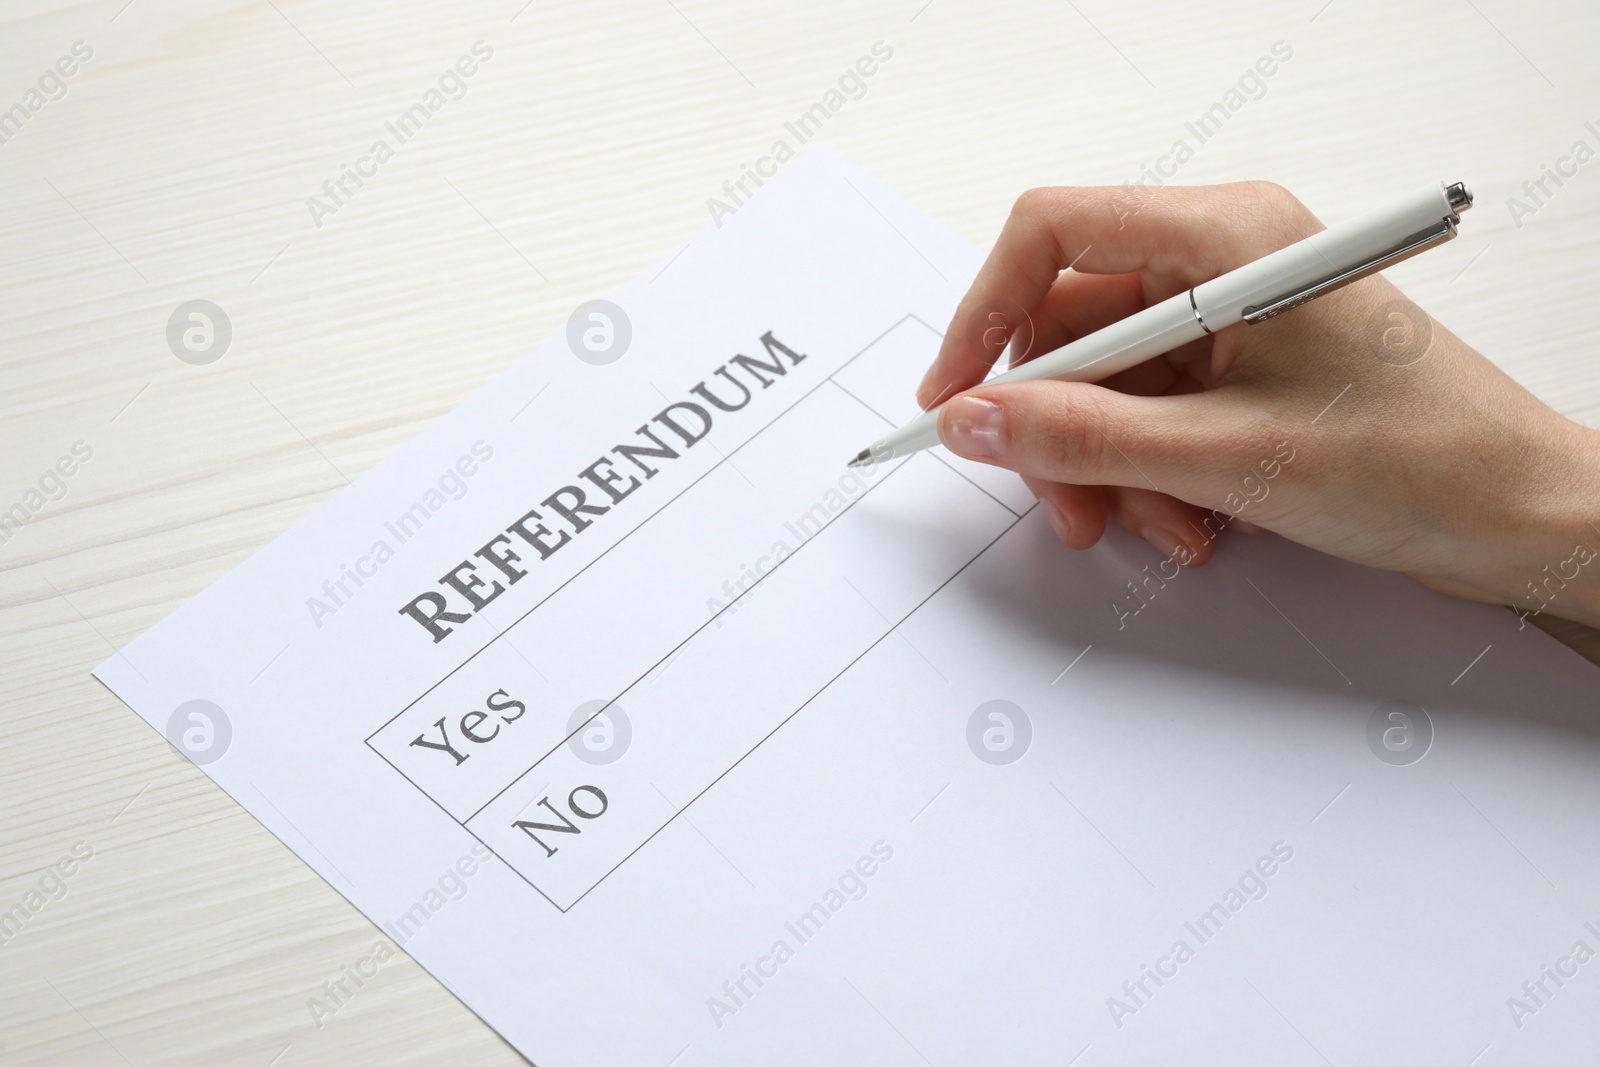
x=1354, y=425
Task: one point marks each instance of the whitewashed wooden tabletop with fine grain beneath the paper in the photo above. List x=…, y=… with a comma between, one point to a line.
x=178, y=166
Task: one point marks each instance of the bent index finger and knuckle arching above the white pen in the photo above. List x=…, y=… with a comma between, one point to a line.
x=1177, y=238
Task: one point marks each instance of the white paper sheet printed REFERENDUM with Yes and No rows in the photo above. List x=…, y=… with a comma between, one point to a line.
x=663, y=738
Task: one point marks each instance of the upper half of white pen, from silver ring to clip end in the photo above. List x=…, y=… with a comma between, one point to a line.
x=1226, y=300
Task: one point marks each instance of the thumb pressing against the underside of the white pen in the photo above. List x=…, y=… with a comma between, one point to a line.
x=1183, y=446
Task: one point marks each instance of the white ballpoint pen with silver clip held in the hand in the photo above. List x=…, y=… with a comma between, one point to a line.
x=1257, y=292
